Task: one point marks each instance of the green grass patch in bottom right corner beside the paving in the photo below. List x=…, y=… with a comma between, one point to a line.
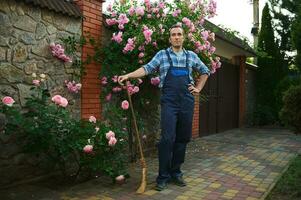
x=289, y=185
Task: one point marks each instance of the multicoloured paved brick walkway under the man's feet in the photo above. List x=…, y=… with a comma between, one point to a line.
x=237, y=164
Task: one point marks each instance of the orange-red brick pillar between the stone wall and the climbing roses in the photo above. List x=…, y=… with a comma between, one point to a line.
x=91, y=25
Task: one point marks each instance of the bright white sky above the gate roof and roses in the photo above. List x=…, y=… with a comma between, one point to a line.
x=236, y=15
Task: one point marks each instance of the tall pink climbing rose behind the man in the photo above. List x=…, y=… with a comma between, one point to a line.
x=141, y=29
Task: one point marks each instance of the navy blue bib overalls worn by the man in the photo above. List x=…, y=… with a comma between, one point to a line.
x=177, y=105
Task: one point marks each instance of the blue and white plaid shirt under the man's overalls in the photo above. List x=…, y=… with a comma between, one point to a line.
x=160, y=61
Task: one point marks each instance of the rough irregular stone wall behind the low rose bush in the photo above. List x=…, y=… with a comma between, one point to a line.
x=25, y=34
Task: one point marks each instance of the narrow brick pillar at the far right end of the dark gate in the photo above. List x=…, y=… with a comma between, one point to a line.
x=241, y=62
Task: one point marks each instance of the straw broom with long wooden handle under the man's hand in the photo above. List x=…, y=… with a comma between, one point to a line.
x=142, y=187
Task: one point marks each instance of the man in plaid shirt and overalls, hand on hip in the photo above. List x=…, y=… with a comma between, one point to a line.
x=177, y=103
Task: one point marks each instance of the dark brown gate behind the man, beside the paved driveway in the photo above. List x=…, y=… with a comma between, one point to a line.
x=219, y=109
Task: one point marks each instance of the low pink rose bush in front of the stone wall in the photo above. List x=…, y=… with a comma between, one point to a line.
x=47, y=128
